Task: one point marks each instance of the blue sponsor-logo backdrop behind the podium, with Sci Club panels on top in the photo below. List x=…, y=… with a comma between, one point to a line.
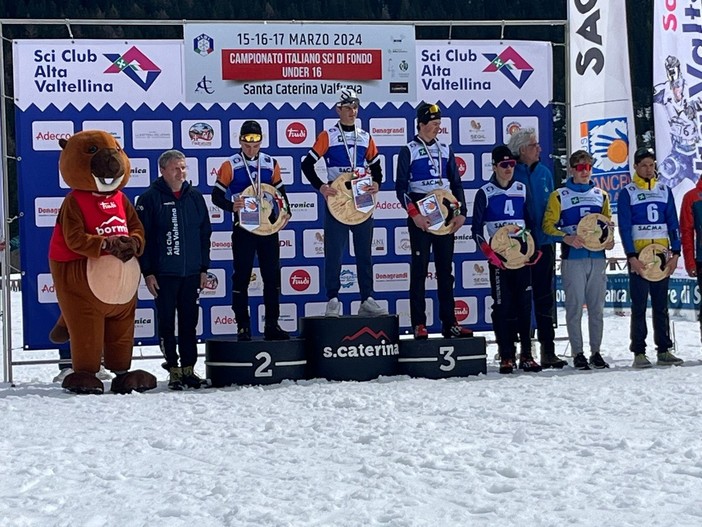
x=208, y=134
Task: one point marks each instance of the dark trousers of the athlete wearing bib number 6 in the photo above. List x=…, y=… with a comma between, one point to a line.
x=639, y=289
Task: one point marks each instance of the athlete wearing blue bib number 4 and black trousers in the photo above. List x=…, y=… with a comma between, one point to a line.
x=503, y=201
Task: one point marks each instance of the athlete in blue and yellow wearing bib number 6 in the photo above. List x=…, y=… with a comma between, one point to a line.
x=647, y=215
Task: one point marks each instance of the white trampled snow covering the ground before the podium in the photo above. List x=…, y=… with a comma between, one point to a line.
x=618, y=447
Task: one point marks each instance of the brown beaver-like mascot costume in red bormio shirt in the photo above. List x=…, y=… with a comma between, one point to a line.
x=92, y=256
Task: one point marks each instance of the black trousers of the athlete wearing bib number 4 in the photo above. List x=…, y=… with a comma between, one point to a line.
x=511, y=309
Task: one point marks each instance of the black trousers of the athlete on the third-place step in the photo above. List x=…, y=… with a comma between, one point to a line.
x=421, y=245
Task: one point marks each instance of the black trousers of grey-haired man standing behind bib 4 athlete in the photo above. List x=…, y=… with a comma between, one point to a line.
x=542, y=278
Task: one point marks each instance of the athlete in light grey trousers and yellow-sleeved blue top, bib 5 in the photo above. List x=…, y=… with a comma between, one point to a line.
x=582, y=270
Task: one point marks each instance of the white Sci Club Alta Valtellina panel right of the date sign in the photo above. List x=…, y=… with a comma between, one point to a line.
x=485, y=71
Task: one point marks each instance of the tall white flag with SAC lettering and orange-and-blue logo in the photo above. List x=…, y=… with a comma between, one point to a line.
x=601, y=116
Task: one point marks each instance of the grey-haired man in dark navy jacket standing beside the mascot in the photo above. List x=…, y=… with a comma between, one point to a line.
x=175, y=262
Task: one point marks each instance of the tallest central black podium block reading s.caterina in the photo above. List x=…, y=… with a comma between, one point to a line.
x=351, y=348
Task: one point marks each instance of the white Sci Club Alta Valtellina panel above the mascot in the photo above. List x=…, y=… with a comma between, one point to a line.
x=111, y=72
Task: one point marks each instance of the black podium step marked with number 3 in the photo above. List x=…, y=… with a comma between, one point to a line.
x=440, y=358
